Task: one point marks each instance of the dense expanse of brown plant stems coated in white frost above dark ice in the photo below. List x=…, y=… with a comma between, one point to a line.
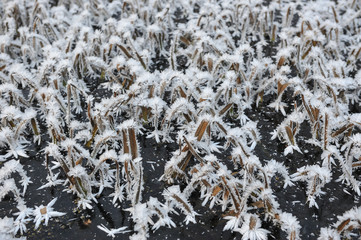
x=184, y=73
